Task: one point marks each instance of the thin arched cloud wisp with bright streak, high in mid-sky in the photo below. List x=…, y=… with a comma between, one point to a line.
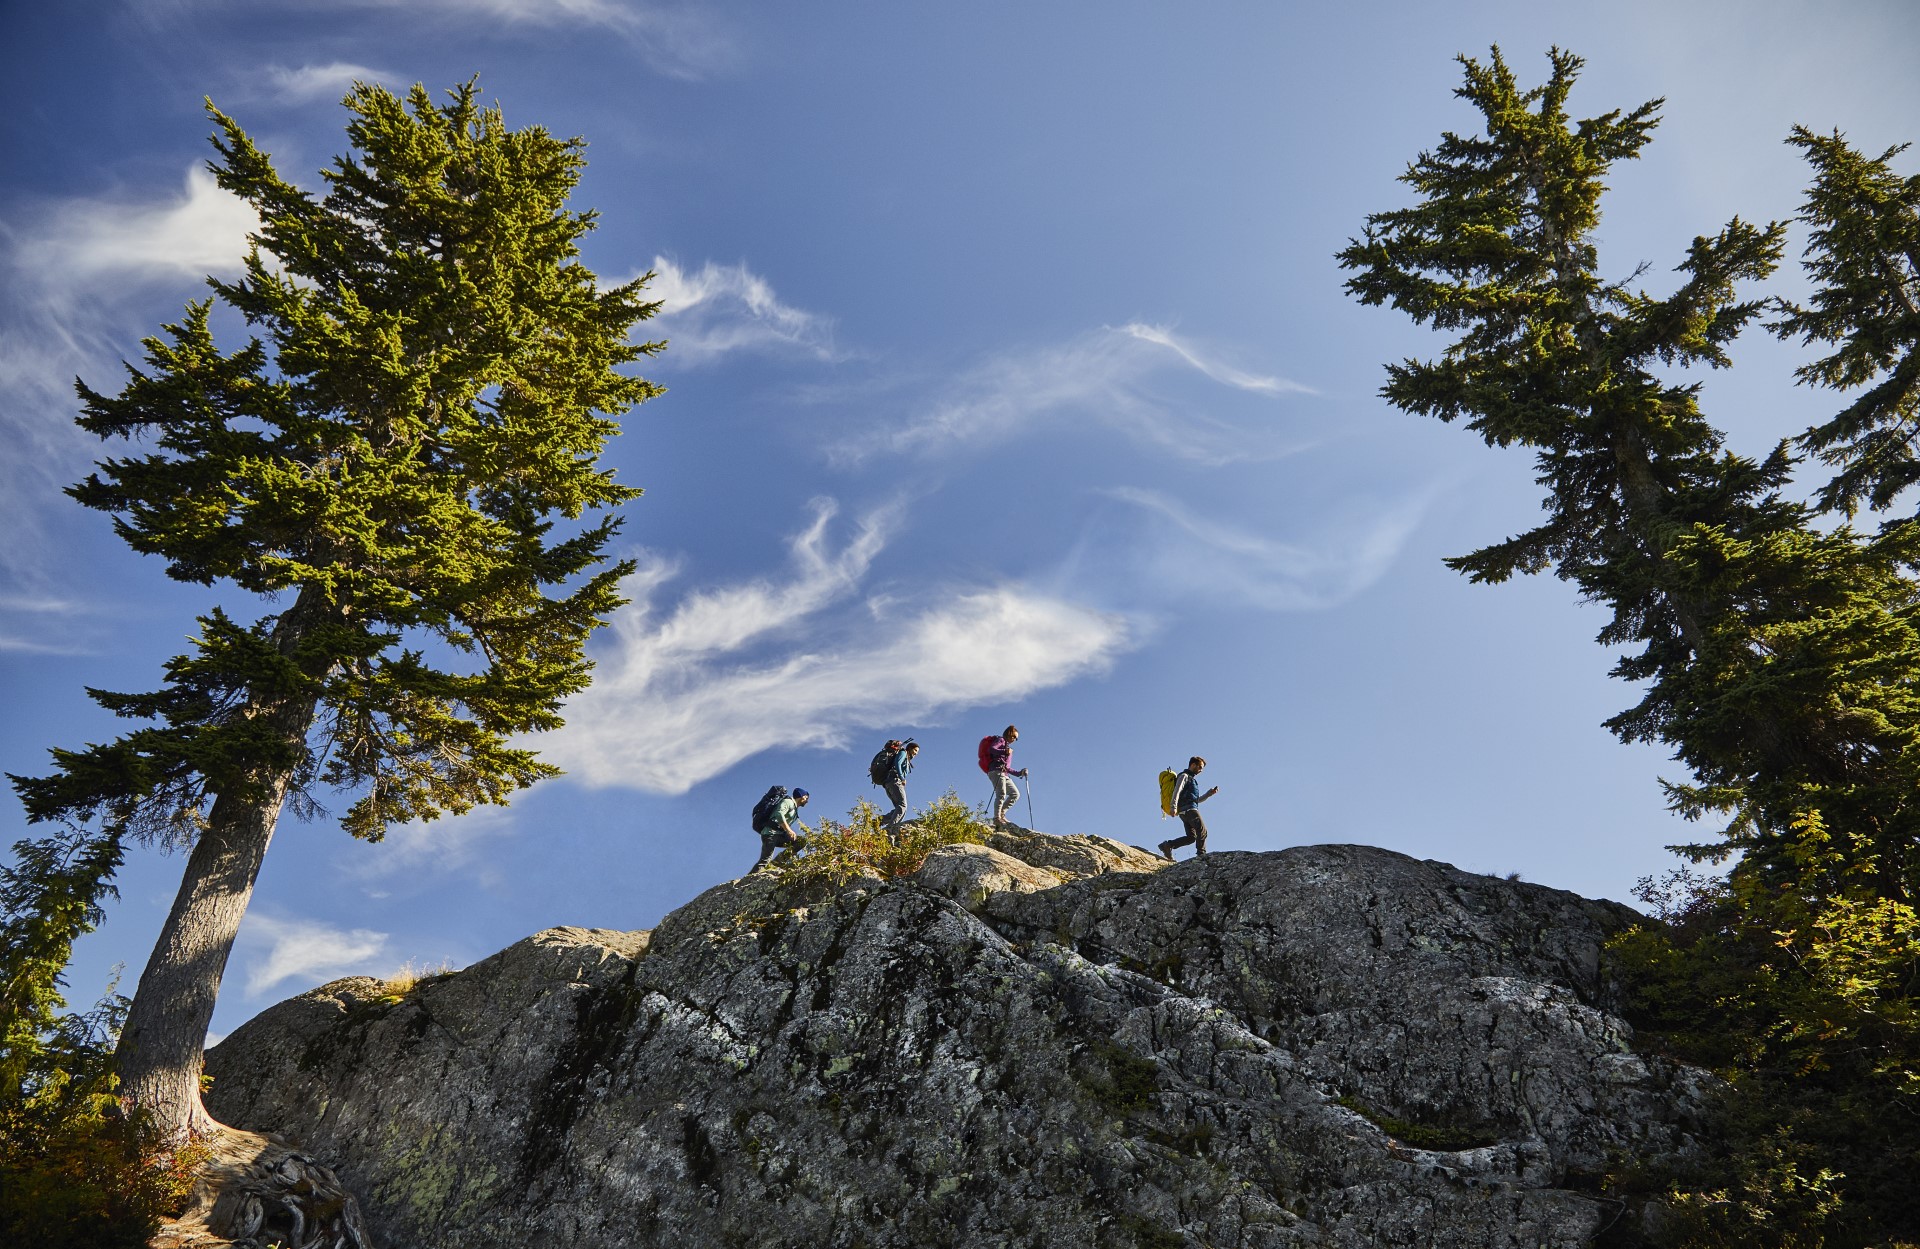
x=1118, y=377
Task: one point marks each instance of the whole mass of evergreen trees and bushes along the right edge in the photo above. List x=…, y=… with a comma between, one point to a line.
x=1777, y=648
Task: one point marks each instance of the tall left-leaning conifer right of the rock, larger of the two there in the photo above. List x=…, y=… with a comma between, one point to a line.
x=1775, y=653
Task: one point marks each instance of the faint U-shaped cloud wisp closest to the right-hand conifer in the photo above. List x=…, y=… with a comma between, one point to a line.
x=1191, y=555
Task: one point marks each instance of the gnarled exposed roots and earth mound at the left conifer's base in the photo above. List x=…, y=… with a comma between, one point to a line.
x=254, y=1192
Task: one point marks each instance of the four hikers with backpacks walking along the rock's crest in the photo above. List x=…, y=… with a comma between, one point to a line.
x=777, y=813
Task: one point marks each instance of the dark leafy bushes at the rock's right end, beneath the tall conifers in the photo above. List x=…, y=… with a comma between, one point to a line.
x=1804, y=1002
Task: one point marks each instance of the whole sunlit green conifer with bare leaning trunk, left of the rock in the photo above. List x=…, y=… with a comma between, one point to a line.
x=402, y=469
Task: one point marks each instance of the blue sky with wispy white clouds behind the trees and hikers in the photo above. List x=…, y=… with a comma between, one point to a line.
x=1011, y=381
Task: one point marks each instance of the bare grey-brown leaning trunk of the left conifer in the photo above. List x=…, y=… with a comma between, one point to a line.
x=162, y=1047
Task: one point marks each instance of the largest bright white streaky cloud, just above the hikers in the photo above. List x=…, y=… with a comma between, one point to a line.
x=684, y=695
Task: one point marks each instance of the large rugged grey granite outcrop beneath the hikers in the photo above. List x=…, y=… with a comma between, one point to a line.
x=1049, y=1041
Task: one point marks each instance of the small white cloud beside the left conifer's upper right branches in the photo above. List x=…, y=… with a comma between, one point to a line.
x=723, y=310
